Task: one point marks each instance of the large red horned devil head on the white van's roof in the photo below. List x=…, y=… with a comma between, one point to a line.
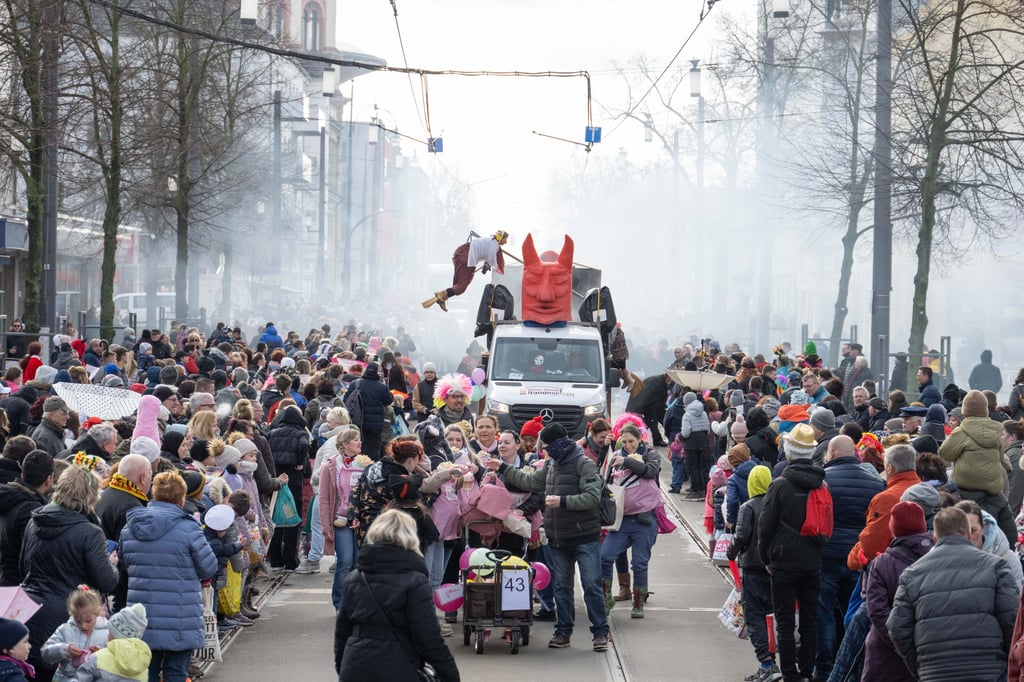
x=547, y=283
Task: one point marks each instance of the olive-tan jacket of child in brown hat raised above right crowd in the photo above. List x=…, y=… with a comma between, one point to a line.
x=975, y=449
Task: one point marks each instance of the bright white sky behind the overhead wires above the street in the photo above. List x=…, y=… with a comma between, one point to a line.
x=487, y=122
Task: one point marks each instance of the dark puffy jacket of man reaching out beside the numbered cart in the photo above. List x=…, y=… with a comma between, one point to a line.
x=576, y=480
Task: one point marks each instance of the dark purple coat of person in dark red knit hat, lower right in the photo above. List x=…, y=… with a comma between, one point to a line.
x=882, y=662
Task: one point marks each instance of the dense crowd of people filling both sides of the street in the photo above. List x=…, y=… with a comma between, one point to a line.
x=130, y=533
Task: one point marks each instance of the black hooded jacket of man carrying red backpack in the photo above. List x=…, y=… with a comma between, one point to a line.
x=780, y=542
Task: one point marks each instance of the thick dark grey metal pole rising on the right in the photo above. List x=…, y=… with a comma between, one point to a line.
x=882, y=276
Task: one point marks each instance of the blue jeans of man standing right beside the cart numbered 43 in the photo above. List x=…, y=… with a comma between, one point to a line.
x=565, y=561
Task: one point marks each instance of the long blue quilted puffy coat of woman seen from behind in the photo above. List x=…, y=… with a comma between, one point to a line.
x=166, y=557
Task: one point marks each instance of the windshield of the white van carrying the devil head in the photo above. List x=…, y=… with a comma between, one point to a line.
x=547, y=360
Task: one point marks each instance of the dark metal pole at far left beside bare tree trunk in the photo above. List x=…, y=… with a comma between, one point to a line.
x=52, y=56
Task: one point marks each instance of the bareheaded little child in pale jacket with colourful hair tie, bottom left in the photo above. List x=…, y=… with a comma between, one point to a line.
x=84, y=633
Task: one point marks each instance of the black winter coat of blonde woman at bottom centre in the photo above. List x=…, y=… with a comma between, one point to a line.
x=367, y=645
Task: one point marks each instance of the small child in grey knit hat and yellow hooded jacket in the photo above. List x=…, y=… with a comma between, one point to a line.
x=126, y=657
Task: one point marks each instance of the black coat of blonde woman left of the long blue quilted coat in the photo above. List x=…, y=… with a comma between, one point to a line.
x=62, y=550
